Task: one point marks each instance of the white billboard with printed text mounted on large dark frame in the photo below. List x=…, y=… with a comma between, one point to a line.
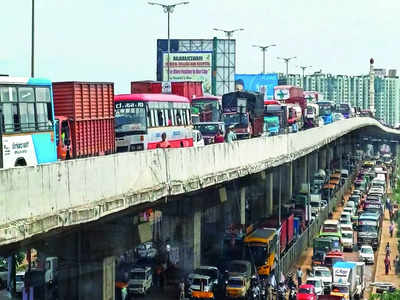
x=189, y=66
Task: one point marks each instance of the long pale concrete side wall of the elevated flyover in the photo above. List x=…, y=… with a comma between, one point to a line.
x=35, y=200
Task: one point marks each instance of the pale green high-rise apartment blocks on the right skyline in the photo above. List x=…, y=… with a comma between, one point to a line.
x=355, y=90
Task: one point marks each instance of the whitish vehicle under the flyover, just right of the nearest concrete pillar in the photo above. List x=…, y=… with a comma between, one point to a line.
x=140, y=281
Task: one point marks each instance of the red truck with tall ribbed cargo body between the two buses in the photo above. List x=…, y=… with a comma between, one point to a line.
x=84, y=117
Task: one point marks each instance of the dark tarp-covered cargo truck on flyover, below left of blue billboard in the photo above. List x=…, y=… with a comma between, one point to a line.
x=244, y=111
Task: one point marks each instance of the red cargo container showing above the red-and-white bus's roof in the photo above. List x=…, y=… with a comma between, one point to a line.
x=188, y=89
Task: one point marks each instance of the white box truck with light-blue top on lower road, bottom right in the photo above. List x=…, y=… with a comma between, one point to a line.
x=344, y=280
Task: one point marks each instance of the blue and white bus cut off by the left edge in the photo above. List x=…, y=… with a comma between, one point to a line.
x=27, y=136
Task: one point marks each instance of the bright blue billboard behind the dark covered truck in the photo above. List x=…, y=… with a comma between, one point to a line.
x=263, y=83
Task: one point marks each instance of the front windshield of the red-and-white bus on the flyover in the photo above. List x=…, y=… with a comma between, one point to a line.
x=130, y=119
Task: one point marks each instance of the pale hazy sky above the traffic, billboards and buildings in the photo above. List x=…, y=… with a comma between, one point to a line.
x=115, y=40
